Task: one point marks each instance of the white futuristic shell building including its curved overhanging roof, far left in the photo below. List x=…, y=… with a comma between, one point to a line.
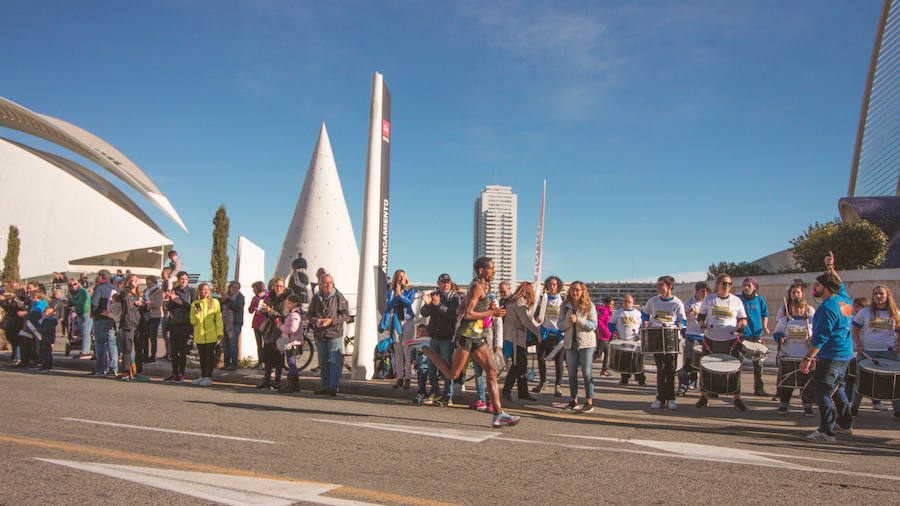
x=88, y=224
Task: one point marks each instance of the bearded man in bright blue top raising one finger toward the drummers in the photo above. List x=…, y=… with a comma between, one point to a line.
x=832, y=346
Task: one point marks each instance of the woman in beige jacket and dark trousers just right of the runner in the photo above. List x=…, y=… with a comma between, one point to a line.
x=516, y=325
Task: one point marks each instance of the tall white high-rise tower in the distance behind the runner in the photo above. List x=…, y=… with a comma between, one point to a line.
x=495, y=230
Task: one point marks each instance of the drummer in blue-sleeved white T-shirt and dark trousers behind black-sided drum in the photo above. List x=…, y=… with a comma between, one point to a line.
x=664, y=310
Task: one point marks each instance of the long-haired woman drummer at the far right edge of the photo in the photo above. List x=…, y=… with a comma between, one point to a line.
x=875, y=331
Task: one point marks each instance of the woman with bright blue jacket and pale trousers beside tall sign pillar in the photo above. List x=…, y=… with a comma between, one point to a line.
x=399, y=320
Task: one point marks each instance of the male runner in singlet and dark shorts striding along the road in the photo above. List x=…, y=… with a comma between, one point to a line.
x=469, y=339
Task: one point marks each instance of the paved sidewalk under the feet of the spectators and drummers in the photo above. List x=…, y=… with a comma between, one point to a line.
x=613, y=403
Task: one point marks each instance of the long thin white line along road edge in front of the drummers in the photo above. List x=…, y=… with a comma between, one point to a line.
x=734, y=459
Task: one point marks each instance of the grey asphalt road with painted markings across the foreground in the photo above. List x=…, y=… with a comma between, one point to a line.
x=70, y=439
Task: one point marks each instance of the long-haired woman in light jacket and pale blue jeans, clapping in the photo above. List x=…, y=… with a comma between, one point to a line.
x=579, y=322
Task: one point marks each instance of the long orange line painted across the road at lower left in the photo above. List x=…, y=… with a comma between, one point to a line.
x=342, y=491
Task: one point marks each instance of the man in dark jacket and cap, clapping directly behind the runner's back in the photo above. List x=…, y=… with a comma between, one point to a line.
x=440, y=306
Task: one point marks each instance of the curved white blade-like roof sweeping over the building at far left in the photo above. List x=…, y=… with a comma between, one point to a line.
x=88, y=145
